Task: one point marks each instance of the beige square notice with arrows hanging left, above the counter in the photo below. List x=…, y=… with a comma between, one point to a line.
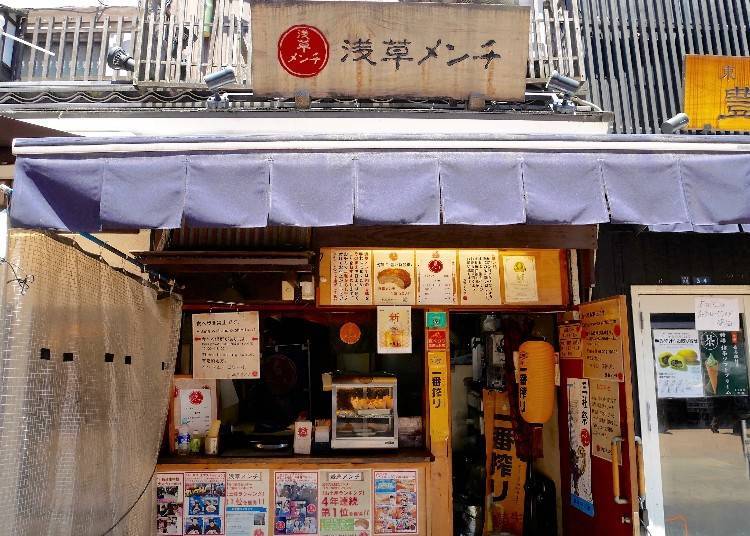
x=226, y=345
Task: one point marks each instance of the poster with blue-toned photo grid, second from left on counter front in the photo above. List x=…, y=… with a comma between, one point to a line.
x=204, y=503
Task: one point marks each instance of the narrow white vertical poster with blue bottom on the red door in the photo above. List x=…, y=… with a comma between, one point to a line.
x=579, y=430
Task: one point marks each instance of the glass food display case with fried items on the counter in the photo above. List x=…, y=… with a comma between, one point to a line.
x=364, y=413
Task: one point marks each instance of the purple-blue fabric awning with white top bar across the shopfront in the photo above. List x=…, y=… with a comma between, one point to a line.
x=678, y=183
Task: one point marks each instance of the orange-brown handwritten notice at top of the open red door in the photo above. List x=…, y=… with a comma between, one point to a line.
x=602, y=340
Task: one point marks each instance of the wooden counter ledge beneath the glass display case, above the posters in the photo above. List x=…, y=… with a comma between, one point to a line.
x=357, y=457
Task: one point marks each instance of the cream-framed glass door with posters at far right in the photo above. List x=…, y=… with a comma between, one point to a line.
x=692, y=370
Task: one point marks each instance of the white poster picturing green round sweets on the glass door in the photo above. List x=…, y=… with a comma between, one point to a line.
x=678, y=363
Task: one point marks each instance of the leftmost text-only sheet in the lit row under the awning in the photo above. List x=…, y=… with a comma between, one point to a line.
x=351, y=277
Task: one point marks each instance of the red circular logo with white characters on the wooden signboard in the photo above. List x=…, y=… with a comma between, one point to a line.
x=303, y=51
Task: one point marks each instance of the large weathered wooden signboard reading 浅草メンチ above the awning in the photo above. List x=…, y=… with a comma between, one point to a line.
x=370, y=49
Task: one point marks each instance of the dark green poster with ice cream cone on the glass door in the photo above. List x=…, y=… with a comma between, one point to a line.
x=723, y=358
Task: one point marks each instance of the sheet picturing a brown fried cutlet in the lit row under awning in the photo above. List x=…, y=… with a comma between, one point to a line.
x=394, y=282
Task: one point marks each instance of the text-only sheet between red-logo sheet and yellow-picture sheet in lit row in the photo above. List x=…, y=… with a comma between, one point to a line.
x=480, y=277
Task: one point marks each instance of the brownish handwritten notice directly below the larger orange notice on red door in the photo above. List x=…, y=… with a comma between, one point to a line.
x=605, y=417
